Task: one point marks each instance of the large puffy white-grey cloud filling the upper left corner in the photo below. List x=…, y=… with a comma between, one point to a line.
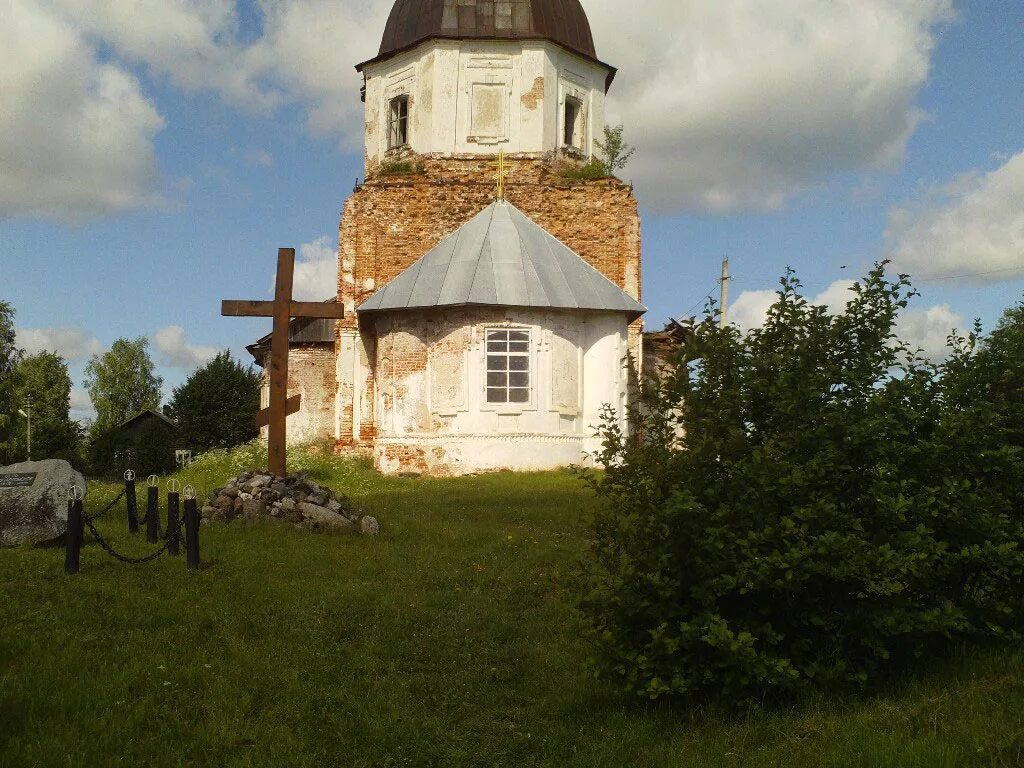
x=76, y=135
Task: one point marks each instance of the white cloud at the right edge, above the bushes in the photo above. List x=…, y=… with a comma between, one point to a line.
x=974, y=225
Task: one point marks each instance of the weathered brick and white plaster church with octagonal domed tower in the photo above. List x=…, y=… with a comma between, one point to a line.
x=492, y=296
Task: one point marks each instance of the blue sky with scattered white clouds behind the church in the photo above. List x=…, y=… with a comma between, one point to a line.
x=832, y=134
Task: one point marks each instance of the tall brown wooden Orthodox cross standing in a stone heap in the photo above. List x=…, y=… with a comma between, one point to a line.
x=282, y=310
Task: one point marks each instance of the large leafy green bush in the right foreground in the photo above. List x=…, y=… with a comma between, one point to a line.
x=807, y=506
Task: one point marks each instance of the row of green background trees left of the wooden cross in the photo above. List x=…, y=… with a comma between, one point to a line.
x=217, y=407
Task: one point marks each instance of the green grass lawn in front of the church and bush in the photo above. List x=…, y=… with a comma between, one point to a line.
x=450, y=641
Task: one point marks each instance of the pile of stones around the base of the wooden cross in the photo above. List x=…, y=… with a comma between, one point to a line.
x=295, y=499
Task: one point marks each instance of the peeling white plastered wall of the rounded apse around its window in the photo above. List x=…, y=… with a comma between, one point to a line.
x=442, y=408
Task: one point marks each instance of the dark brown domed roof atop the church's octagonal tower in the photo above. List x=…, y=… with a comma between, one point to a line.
x=413, y=22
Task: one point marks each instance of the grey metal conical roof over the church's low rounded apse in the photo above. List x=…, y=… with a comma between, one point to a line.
x=501, y=258
